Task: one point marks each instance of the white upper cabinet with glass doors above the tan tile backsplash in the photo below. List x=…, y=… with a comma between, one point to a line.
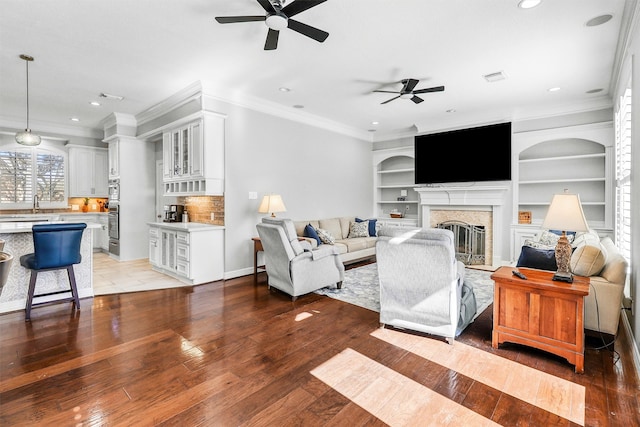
x=193, y=157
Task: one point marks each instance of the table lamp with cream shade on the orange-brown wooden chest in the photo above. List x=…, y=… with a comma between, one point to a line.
x=565, y=214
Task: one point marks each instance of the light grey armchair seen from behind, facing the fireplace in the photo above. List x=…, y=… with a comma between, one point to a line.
x=420, y=280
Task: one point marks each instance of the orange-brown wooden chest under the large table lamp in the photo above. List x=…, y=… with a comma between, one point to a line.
x=540, y=313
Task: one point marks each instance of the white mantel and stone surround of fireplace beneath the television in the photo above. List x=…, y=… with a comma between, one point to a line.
x=468, y=204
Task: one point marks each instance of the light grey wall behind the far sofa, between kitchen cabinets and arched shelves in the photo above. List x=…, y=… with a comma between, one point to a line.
x=320, y=174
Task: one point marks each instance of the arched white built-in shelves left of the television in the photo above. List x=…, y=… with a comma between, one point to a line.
x=394, y=175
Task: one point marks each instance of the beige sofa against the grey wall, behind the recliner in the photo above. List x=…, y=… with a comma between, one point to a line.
x=351, y=249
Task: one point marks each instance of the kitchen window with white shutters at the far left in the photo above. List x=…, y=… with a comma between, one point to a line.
x=30, y=171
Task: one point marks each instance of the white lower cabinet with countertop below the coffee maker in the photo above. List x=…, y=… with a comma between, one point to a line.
x=190, y=252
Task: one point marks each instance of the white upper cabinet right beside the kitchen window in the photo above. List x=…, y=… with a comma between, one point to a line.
x=88, y=171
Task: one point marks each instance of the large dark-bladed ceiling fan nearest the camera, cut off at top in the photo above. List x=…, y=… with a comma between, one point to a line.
x=278, y=18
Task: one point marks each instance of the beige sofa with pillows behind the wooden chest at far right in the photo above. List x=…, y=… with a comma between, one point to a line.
x=601, y=261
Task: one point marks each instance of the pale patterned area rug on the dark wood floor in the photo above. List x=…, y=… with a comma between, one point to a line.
x=361, y=287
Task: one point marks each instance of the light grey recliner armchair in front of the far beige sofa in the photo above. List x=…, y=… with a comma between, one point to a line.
x=291, y=265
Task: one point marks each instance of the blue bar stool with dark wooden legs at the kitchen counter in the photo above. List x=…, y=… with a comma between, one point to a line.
x=56, y=247
